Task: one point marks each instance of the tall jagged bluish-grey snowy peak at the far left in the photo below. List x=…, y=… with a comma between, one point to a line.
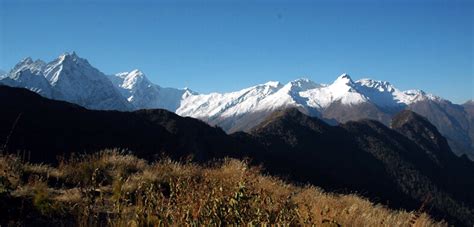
x=67, y=78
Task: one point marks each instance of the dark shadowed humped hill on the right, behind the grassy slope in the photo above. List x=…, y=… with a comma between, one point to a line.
x=370, y=158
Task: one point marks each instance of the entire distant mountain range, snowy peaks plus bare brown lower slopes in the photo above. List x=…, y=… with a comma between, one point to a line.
x=73, y=79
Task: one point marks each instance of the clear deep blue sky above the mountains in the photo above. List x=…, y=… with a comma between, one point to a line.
x=228, y=45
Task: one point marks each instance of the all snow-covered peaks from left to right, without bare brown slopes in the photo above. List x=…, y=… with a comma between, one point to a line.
x=73, y=79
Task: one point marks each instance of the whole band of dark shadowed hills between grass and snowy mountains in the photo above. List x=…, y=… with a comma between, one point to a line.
x=404, y=166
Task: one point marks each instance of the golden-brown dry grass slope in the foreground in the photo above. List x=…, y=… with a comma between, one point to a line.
x=113, y=188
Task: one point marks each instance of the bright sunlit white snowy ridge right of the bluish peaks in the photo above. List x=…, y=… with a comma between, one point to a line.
x=299, y=93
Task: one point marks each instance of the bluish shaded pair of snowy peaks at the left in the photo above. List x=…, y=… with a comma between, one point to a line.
x=73, y=79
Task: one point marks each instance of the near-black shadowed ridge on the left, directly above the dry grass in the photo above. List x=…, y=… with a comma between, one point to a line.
x=47, y=128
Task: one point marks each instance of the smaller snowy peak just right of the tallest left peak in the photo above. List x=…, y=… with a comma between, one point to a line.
x=143, y=94
